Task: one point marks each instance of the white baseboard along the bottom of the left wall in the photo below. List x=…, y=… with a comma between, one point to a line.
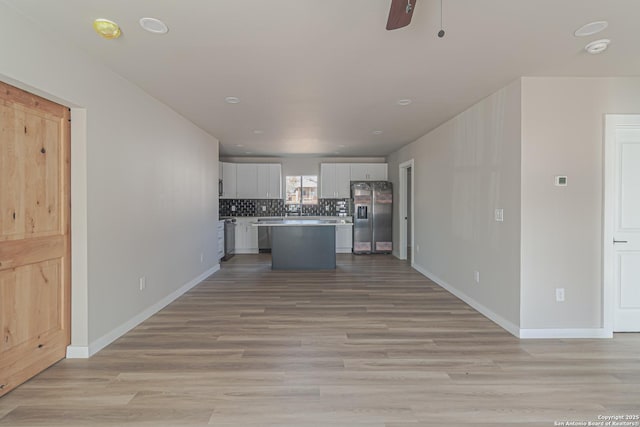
x=81, y=352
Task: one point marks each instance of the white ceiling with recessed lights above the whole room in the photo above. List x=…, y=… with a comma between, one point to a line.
x=317, y=77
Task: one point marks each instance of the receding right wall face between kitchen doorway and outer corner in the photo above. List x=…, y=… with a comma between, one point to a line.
x=463, y=170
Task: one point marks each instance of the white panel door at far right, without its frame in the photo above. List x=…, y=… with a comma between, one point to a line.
x=626, y=232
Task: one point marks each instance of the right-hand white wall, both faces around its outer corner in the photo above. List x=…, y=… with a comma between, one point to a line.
x=504, y=152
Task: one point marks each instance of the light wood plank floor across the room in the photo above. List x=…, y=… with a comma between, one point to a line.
x=373, y=343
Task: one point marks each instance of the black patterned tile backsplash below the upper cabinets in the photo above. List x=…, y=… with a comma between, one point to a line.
x=264, y=207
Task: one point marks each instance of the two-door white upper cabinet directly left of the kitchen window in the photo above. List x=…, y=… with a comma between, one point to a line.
x=259, y=181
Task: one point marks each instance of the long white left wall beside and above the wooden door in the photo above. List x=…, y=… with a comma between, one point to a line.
x=150, y=177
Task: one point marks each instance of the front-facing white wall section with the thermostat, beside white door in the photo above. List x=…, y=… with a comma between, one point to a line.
x=562, y=134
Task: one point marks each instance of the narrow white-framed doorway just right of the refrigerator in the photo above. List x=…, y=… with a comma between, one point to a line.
x=407, y=185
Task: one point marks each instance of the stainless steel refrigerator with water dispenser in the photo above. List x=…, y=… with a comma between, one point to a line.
x=372, y=210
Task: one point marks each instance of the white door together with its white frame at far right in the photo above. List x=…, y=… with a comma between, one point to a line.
x=621, y=237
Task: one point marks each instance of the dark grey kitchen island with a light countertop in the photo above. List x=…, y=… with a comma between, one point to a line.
x=303, y=244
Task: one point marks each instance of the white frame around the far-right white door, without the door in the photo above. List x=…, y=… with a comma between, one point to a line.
x=608, y=253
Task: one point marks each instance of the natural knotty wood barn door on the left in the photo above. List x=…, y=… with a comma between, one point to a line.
x=35, y=266
